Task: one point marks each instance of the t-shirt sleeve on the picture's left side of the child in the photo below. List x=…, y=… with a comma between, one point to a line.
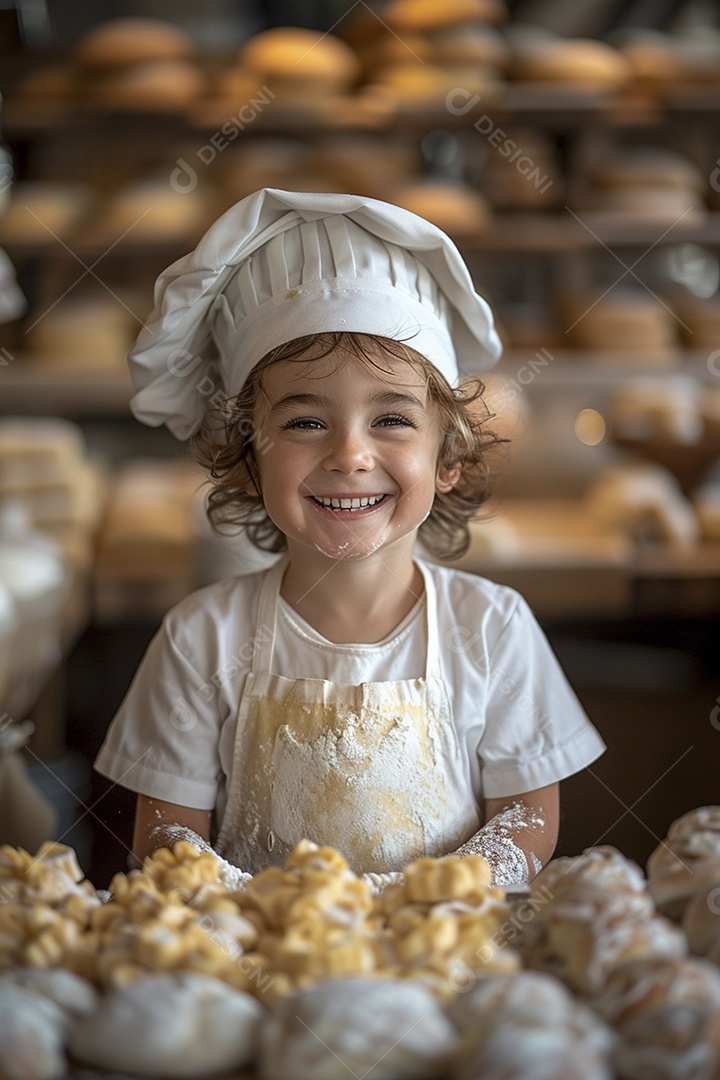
x=164, y=741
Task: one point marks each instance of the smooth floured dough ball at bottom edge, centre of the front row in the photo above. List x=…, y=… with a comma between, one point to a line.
x=358, y=1028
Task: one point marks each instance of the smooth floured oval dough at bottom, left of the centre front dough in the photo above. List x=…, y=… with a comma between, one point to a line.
x=179, y=1025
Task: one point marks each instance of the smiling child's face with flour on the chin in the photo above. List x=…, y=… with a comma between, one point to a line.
x=348, y=460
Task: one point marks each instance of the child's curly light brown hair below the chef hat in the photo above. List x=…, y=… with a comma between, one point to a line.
x=228, y=444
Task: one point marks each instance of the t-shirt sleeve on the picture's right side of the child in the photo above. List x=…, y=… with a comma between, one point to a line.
x=537, y=732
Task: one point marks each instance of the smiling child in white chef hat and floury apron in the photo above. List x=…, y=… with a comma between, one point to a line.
x=356, y=694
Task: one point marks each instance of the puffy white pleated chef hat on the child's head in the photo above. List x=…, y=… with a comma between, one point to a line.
x=281, y=265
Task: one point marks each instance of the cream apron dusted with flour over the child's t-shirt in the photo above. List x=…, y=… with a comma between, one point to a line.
x=374, y=771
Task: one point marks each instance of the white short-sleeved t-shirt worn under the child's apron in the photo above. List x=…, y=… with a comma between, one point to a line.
x=518, y=721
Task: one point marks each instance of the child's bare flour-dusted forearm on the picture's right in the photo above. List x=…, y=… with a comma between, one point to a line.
x=519, y=836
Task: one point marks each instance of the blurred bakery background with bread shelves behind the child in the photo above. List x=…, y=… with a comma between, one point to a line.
x=572, y=150
